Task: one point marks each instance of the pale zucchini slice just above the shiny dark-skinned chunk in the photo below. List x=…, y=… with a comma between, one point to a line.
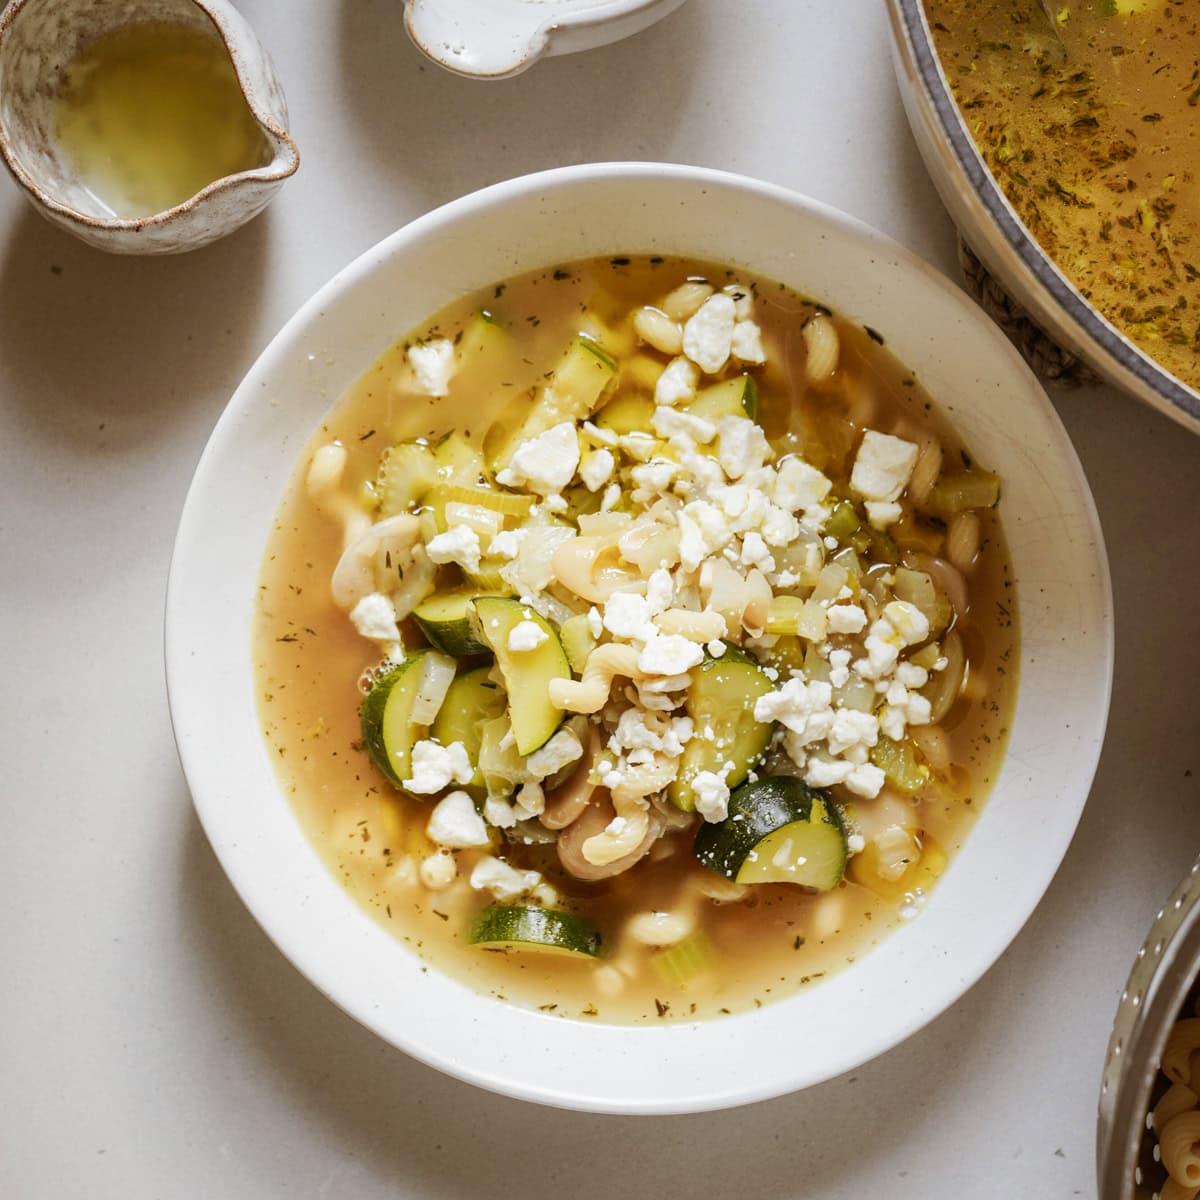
x=721, y=704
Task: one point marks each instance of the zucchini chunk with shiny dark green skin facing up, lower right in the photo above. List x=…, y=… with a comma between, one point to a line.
x=779, y=831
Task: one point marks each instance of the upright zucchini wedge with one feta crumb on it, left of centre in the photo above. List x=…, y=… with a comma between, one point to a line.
x=527, y=674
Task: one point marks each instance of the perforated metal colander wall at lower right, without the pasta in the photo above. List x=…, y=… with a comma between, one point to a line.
x=1160, y=986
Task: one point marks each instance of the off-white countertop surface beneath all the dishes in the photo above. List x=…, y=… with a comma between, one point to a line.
x=153, y=1042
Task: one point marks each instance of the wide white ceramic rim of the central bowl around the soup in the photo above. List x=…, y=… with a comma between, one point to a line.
x=1066, y=640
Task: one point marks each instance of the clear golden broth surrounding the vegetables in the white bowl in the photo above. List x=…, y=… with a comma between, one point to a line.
x=776, y=938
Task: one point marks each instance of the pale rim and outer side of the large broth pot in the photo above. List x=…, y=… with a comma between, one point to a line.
x=985, y=193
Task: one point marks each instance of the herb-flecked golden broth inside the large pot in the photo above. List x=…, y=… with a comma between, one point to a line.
x=1095, y=143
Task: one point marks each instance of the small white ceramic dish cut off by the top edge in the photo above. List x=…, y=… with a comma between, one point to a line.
x=494, y=39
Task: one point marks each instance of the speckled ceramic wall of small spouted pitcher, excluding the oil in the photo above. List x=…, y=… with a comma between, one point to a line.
x=39, y=39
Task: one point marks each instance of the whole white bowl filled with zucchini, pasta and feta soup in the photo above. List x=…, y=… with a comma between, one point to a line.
x=613, y=688
